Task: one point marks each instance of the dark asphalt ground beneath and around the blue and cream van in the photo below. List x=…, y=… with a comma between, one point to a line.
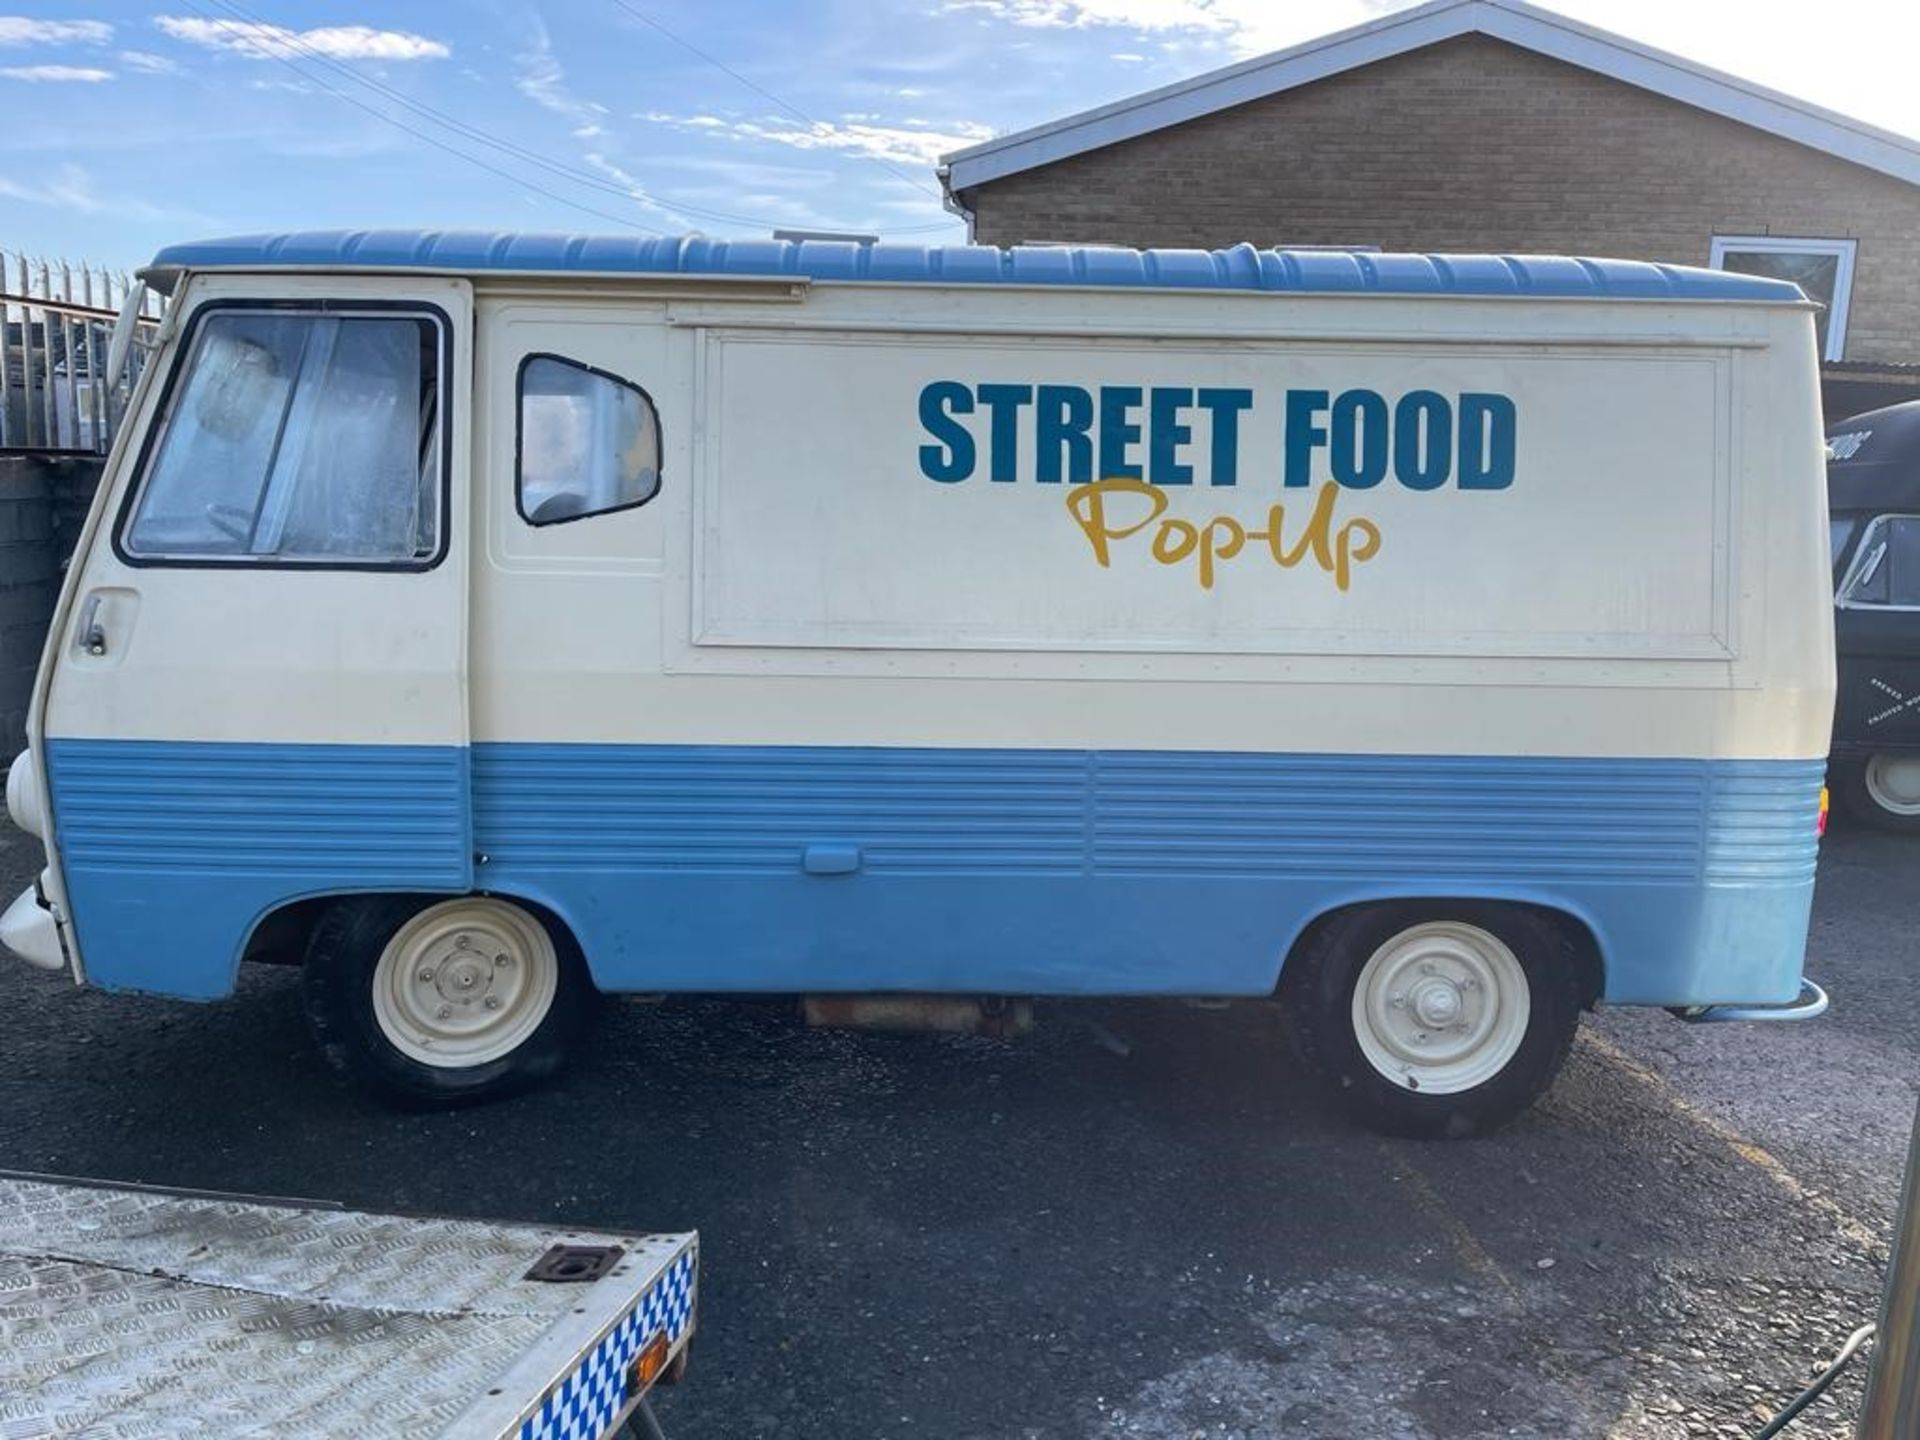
x=1143, y=1220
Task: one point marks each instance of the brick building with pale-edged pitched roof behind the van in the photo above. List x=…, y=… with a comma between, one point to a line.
x=1491, y=126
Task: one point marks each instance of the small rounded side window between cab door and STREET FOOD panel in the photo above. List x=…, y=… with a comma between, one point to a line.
x=588, y=443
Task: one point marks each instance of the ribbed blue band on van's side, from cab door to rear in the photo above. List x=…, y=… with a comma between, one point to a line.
x=940, y=811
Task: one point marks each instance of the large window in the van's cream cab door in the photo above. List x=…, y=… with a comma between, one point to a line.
x=299, y=437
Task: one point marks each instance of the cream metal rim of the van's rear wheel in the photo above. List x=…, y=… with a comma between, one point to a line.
x=1441, y=1007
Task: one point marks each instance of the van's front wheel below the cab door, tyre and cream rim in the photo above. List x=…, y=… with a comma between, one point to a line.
x=433, y=1003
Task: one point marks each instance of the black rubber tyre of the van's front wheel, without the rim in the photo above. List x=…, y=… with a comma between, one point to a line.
x=343, y=957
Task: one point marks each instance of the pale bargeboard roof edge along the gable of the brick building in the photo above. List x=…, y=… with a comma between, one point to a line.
x=1412, y=30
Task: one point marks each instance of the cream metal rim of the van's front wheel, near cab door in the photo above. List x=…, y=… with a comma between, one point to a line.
x=466, y=982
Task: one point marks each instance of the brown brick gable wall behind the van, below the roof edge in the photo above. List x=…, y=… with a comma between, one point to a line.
x=1477, y=145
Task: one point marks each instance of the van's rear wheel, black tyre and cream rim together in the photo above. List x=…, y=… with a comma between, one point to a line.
x=1437, y=1020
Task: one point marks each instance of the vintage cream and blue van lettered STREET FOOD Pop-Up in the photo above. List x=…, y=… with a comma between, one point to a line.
x=1437, y=644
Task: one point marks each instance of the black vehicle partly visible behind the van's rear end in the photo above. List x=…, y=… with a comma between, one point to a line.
x=1875, y=498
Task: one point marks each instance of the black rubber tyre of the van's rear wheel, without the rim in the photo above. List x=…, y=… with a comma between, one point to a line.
x=1326, y=971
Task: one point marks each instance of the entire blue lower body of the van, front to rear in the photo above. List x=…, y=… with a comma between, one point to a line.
x=1034, y=873
